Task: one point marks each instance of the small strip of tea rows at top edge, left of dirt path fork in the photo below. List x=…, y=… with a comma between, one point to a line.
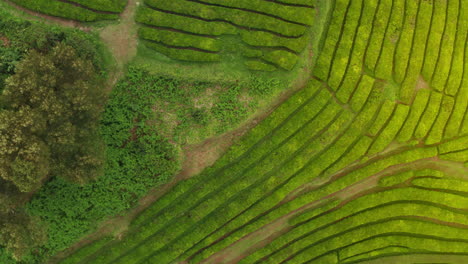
x=80, y=10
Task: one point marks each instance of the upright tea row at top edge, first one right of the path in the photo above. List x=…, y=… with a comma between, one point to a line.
x=325, y=59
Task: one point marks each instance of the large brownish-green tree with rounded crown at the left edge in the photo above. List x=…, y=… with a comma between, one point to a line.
x=48, y=128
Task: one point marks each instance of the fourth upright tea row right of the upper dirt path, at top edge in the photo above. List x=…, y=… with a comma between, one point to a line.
x=382, y=16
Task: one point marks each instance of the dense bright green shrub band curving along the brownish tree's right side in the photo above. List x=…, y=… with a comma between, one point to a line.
x=138, y=158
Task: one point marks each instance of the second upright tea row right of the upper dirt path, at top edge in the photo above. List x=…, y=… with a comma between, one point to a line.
x=345, y=46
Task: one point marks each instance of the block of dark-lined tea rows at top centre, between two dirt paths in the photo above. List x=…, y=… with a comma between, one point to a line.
x=272, y=33
